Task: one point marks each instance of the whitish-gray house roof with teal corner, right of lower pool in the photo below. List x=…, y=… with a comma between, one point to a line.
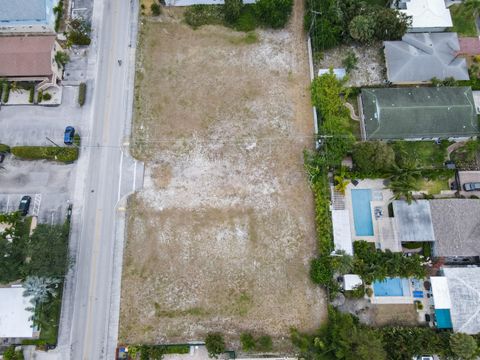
x=456, y=299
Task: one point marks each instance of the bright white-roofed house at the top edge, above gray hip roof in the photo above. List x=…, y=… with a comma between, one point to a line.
x=426, y=15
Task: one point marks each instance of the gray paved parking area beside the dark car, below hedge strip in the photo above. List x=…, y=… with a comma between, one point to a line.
x=47, y=183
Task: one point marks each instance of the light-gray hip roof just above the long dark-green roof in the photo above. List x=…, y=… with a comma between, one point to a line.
x=419, y=57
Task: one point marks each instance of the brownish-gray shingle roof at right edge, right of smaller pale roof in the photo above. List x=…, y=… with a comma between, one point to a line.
x=456, y=223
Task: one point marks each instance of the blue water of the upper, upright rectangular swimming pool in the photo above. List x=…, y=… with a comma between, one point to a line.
x=362, y=213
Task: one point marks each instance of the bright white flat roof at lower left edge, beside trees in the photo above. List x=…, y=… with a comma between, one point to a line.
x=15, y=320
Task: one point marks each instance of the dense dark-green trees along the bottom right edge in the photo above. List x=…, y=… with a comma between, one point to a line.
x=343, y=337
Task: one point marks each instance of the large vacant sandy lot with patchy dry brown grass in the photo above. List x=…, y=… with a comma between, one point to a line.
x=221, y=237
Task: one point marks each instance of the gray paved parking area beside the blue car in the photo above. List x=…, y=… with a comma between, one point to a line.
x=32, y=125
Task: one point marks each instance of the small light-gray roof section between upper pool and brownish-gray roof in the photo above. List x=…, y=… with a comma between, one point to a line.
x=414, y=221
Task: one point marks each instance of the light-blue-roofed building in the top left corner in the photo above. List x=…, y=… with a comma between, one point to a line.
x=27, y=16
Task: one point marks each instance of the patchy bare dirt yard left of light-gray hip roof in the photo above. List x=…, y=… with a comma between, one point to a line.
x=370, y=67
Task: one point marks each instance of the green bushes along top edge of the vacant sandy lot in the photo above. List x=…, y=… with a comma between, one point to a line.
x=269, y=13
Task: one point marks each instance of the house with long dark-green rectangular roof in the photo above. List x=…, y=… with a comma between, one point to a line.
x=423, y=113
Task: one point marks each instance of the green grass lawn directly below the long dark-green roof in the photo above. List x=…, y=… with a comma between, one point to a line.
x=421, y=154
